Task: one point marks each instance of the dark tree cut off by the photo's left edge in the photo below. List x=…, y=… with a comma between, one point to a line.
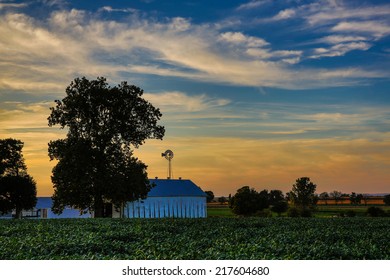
x=17, y=188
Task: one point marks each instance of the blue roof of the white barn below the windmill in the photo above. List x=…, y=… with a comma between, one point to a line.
x=174, y=187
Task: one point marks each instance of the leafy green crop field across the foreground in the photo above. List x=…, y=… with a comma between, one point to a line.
x=211, y=238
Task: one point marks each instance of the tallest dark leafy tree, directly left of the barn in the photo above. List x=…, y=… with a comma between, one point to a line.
x=95, y=160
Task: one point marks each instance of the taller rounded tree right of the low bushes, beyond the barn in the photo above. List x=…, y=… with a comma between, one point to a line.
x=302, y=194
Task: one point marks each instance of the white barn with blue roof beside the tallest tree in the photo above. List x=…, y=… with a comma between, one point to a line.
x=176, y=198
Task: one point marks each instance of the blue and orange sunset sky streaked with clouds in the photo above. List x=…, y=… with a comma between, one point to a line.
x=253, y=93
